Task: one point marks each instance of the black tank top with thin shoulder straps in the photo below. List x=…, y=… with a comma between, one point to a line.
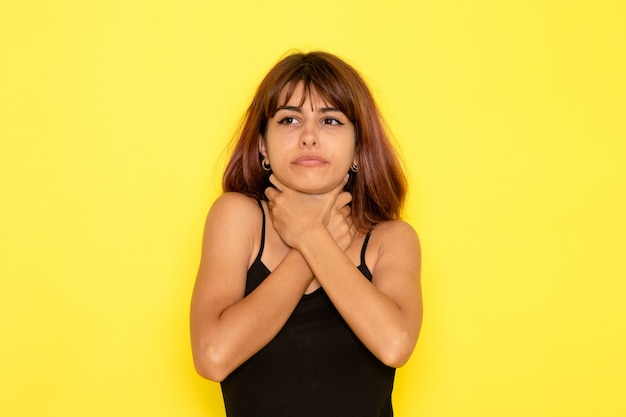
x=314, y=367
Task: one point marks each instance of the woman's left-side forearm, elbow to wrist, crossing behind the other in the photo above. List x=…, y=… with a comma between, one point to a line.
x=246, y=326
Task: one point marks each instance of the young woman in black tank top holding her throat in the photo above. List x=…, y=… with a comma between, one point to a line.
x=308, y=292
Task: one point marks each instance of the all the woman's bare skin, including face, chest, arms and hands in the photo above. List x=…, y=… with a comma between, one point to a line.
x=310, y=242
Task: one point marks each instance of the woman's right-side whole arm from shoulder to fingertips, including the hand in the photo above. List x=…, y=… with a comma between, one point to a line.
x=386, y=313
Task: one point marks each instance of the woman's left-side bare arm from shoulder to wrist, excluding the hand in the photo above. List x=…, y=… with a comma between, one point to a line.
x=226, y=328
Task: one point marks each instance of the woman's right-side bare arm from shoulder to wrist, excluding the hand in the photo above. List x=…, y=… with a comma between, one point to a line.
x=386, y=313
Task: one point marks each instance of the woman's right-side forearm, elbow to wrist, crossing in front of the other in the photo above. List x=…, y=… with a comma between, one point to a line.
x=374, y=317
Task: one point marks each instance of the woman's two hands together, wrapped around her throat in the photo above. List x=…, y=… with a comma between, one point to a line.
x=295, y=215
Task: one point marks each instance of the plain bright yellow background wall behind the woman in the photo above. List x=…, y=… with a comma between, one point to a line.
x=510, y=117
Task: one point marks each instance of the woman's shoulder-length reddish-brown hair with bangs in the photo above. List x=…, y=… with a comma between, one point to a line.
x=378, y=189
